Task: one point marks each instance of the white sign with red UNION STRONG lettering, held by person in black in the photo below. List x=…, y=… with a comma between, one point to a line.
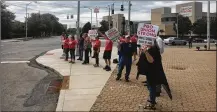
x=147, y=33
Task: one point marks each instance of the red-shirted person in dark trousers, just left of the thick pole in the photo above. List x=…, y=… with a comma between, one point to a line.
x=72, y=44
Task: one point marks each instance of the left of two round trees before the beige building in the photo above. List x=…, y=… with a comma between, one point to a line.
x=184, y=25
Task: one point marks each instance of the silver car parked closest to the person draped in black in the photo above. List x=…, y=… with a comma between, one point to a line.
x=175, y=41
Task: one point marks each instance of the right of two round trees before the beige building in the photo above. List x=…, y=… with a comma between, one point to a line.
x=200, y=27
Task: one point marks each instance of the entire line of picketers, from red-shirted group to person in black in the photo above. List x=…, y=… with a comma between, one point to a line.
x=149, y=63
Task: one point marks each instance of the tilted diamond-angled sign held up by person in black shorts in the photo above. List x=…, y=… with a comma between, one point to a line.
x=113, y=34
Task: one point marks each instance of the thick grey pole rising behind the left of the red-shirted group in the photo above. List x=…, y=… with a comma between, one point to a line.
x=78, y=26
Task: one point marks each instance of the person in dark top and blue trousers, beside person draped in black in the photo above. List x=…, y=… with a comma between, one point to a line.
x=126, y=49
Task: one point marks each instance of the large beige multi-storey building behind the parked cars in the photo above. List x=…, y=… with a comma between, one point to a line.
x=165, y=19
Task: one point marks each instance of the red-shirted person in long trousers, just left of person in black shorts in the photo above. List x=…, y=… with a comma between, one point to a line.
x=96, y=48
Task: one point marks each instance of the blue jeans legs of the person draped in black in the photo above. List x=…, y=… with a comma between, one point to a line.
x=152, y=93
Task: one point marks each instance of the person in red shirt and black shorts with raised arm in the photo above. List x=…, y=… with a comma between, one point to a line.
x=107, y=53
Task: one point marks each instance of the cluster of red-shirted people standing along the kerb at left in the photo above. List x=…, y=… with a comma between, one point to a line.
x=85, y=45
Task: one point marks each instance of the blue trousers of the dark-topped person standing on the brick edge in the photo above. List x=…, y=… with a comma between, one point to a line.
x=125, y=61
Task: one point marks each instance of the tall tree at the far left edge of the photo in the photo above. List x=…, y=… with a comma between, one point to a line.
x=7, y=18
